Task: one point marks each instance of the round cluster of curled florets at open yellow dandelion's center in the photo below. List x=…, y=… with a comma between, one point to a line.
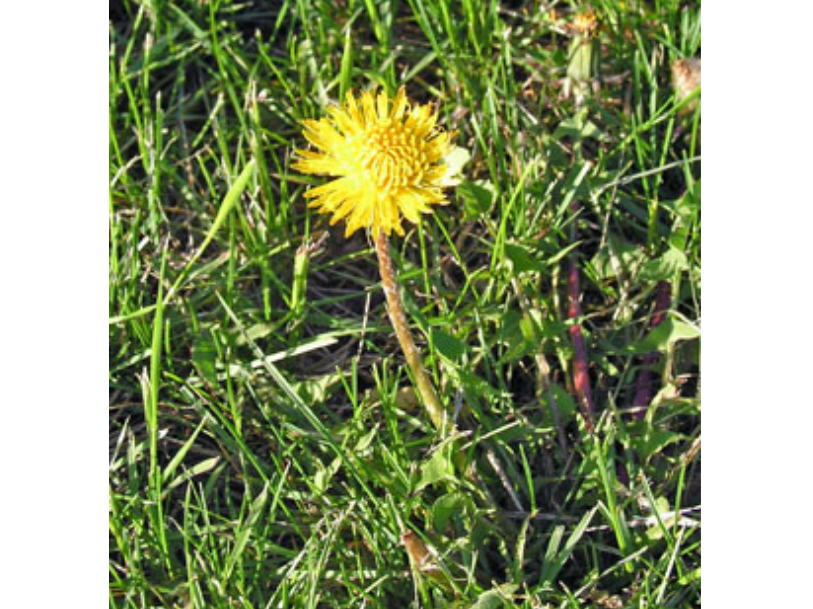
x=392, y=156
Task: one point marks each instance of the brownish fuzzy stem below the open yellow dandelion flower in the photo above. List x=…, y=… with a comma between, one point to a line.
x=395, y=309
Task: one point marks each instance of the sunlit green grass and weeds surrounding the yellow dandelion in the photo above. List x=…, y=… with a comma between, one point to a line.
x=266, y=448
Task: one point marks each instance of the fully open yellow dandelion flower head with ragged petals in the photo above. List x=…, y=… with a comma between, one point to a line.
x=387, y=157
